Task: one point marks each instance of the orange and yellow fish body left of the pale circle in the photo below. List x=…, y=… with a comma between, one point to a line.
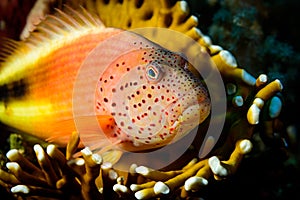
x=44, y=106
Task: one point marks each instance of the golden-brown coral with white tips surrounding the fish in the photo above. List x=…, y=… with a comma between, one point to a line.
x=253, y=118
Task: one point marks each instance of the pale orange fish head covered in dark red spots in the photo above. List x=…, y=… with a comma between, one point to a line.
x=153, y=97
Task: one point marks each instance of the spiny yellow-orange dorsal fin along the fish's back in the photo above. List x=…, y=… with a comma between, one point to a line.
x=52, y=33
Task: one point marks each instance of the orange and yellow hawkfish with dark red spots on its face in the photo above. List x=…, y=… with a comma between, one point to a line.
x=143, y=99
